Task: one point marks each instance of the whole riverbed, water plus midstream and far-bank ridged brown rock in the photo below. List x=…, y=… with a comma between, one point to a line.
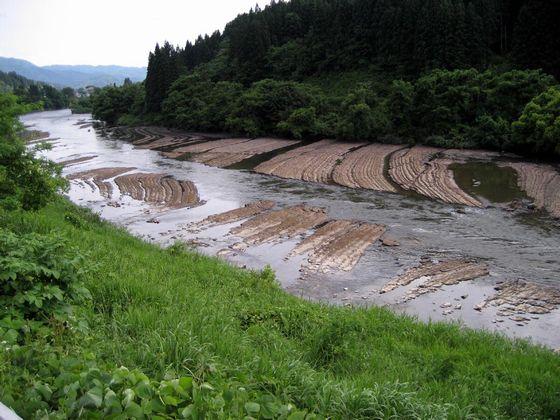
x=447, y=261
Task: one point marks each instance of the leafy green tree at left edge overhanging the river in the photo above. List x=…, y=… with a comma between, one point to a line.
x=26, y=181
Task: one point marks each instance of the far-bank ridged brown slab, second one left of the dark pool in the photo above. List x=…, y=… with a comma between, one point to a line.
x=365, y=167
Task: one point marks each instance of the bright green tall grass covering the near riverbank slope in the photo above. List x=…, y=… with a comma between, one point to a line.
x=161, y=311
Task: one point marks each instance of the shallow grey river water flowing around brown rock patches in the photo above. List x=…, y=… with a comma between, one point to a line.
x=514, y=245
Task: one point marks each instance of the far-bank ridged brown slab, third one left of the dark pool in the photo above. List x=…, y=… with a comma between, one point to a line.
x=314, y=162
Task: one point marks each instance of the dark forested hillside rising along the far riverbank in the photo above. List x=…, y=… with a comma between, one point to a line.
x=462, y=73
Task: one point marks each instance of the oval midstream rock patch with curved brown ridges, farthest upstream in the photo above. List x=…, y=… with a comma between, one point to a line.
x=159, y=189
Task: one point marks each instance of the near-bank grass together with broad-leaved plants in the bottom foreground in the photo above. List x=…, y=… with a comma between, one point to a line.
x=174, y=315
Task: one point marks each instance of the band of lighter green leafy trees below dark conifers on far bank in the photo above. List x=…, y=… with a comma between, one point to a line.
x=448, y=108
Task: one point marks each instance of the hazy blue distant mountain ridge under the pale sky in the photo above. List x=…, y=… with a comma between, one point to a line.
x=73, y=76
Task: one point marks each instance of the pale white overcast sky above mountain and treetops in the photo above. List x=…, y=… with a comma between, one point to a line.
x=106, y=31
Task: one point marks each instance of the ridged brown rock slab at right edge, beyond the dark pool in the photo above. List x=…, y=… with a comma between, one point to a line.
x=541, y=183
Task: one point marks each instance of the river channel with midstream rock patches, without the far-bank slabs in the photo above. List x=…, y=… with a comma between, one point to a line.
x=481, y=249
